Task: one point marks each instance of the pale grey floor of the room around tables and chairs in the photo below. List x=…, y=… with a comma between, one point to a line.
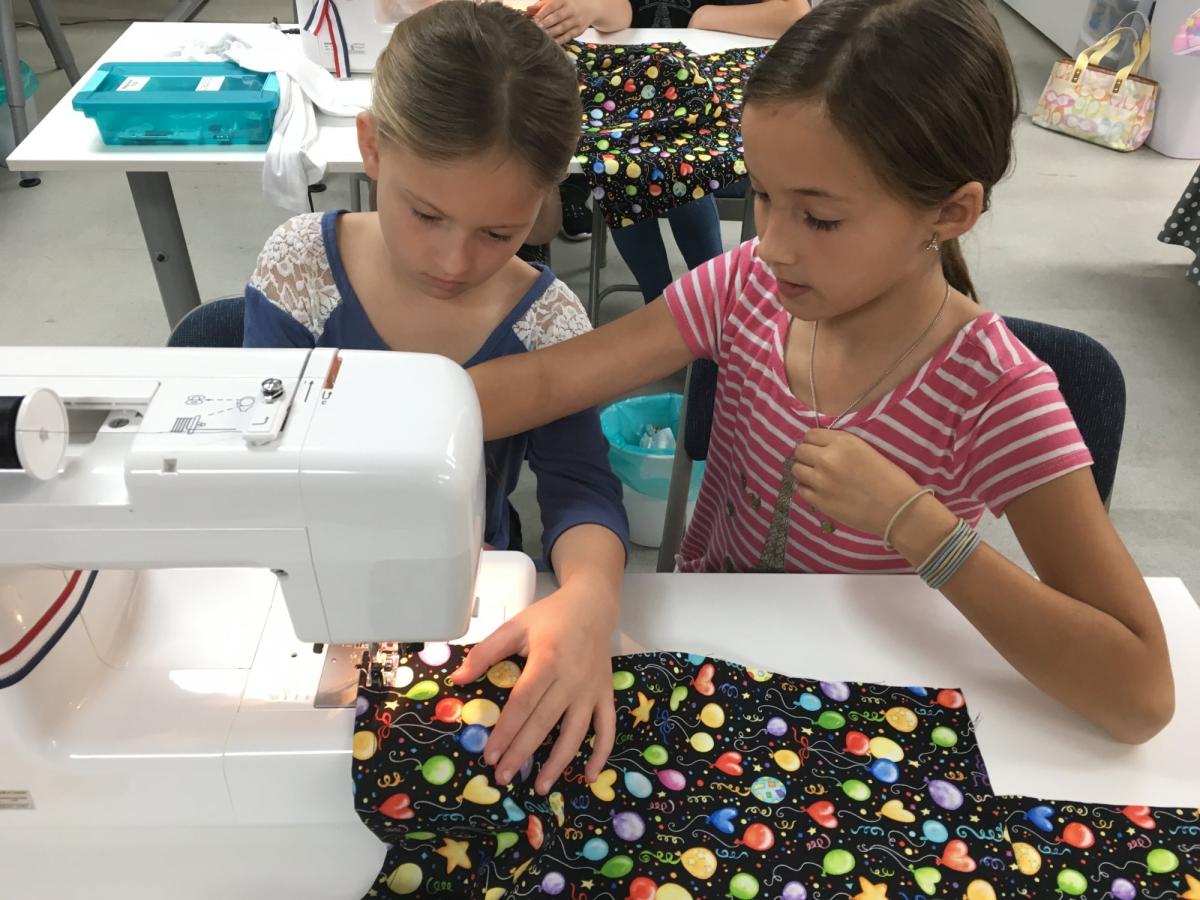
x=1071, y=241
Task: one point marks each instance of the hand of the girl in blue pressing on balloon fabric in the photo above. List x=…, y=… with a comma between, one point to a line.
x=567, y=681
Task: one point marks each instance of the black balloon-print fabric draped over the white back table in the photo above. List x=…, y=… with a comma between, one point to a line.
x=661, y=127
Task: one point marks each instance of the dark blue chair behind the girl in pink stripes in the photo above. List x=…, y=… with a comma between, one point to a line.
x=1089, y=376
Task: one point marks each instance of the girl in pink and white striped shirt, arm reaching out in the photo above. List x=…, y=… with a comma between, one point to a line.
x=868, y=410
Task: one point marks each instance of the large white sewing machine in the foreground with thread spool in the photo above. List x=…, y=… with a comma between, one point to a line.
x=241, y=507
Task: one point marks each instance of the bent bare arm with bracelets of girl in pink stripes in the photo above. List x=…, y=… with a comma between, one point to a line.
x=1087, y=632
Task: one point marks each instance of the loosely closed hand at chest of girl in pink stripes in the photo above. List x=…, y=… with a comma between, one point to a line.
x=849, y=482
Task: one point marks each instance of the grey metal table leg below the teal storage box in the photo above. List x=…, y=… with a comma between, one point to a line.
x=164, y=233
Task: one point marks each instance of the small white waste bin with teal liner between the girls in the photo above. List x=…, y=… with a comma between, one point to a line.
x=646, y=473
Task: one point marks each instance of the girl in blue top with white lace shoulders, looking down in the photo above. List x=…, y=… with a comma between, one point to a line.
x=475, y=119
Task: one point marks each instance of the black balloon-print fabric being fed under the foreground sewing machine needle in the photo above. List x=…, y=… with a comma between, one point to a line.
x=724, y=783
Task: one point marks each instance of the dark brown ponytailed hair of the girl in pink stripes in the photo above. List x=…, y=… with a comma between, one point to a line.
x=925, y=89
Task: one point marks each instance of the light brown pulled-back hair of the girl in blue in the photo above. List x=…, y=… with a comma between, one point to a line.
x=461, y=79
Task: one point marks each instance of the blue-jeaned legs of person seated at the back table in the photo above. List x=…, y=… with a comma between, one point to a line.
x=697, y=227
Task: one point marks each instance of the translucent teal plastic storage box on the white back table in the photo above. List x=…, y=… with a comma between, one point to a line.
x=190, y=104
